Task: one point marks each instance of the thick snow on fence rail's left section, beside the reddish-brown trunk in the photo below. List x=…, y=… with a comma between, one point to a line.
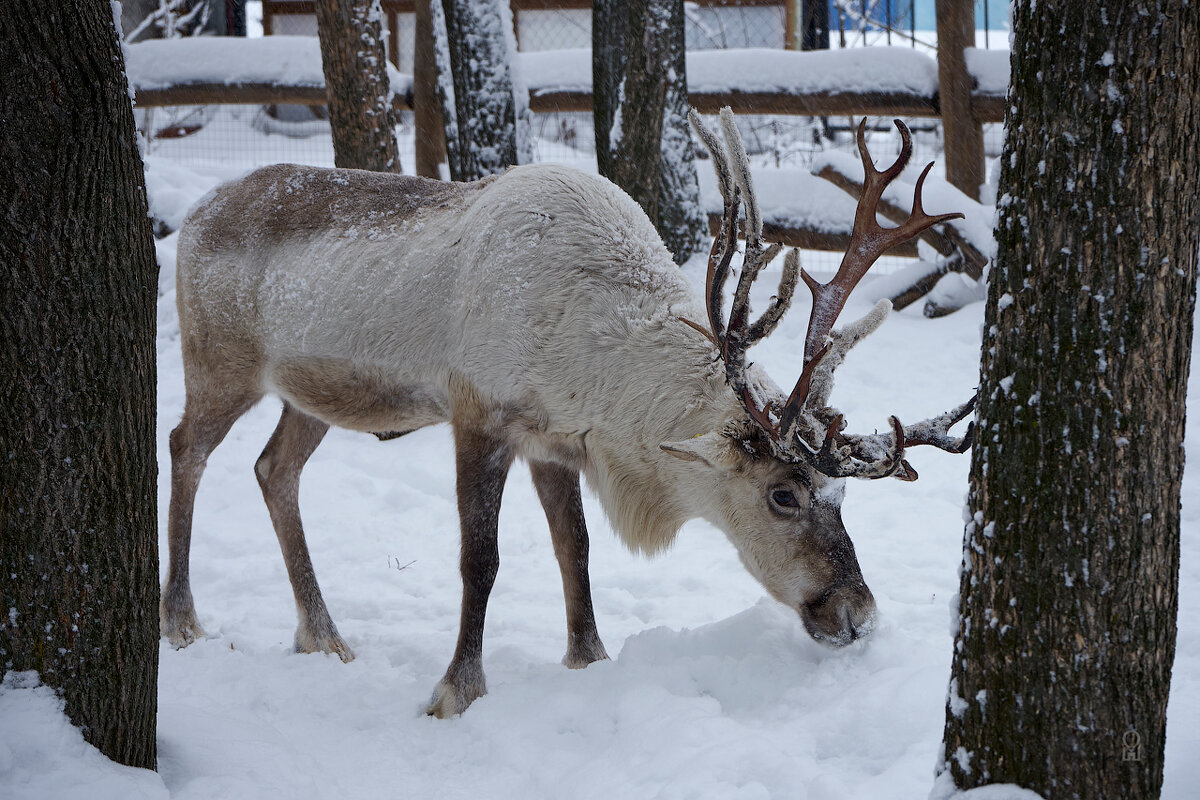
x=277, y=61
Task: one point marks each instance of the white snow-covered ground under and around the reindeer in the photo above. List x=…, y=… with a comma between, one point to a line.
x=715, y=690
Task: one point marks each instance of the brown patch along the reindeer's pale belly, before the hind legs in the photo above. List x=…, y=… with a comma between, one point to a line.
x=356, y=396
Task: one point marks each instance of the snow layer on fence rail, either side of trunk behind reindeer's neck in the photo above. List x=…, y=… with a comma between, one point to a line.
x=874, y=69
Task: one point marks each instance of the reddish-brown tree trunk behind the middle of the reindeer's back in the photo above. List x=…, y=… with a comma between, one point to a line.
x=356, y=65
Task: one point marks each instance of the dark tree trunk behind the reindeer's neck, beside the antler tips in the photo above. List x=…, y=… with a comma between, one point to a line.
x=644, y=143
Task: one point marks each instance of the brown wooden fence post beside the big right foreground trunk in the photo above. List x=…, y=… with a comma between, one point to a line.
x=963, y=131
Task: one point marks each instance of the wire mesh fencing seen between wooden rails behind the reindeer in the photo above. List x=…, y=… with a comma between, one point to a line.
x=244, y=137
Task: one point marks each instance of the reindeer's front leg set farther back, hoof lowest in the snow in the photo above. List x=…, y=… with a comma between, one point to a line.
x=483, y=464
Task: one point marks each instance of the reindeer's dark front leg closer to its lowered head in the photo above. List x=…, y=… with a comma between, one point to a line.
x=559, y=489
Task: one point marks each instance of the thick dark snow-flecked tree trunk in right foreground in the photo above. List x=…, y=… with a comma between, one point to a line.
x=1065, y=645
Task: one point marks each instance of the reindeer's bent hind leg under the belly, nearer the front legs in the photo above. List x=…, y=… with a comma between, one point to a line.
x=278, y=471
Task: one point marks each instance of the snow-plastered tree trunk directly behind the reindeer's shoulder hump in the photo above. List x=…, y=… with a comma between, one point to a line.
x=488, y=119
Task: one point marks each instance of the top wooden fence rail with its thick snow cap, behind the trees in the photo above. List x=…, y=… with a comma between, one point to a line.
x=871, y=81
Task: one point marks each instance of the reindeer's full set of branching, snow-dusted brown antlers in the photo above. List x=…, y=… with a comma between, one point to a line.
x=838, y=455
